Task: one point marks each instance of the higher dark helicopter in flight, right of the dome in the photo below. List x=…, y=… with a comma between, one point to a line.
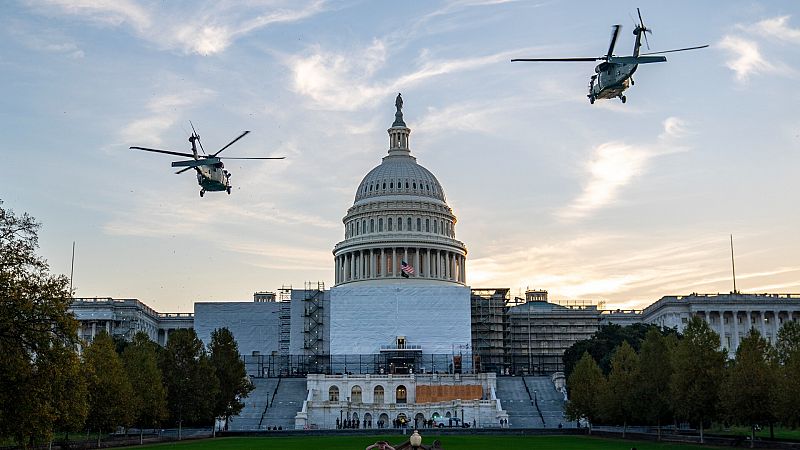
x=615, y=73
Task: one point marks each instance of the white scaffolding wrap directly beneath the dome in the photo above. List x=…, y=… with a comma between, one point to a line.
x=365, y=318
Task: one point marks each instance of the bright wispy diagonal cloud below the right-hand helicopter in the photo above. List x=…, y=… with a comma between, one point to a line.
x=614, y=165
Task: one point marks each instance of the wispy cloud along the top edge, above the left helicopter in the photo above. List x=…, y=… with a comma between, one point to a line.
x=203, y=30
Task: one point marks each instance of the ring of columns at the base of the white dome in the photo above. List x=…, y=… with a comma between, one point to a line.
x=378, y=263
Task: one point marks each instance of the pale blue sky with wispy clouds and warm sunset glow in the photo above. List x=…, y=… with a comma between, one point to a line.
x=604, y=202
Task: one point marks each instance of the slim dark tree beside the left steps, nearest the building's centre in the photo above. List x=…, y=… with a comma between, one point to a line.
x=231, y=374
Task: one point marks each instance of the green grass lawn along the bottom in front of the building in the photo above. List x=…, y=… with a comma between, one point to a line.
x=465, y=442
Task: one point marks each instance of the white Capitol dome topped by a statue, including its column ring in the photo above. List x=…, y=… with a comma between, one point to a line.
x=400, y=225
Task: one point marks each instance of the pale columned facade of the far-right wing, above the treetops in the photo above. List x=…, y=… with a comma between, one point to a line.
x=733, y=324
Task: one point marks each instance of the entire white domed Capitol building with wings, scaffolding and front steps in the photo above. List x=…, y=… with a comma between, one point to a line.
x=400, y=335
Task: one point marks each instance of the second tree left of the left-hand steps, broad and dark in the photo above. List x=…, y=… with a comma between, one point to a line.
x=192, y=386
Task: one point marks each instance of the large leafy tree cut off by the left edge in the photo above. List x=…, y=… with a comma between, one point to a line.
x=38, y=336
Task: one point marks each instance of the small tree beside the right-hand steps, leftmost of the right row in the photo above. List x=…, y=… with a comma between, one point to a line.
x=586, y=386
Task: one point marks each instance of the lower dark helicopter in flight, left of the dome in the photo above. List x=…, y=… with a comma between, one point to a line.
x=211, y=173
